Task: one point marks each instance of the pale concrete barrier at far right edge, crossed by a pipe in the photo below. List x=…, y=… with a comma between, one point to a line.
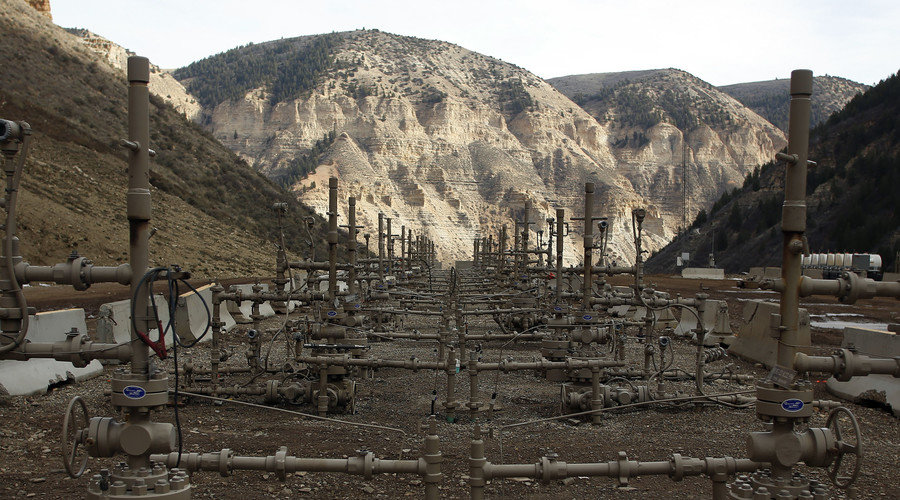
x=883, y=389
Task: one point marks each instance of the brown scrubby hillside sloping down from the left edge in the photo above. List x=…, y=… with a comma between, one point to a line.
x=211, y=209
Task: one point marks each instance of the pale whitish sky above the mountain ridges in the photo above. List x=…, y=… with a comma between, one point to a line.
x=720, y=41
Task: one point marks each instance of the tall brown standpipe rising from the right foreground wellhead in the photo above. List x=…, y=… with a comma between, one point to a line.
x=793, y=226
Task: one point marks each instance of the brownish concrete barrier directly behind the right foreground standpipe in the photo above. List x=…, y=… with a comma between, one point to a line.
x=754, y=341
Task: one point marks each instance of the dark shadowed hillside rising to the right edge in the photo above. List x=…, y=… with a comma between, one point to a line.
x=851, y=194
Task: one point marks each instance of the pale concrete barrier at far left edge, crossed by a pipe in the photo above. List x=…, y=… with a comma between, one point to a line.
x=21, y=378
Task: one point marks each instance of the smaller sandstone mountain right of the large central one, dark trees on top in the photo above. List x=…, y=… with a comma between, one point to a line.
x=659, y=119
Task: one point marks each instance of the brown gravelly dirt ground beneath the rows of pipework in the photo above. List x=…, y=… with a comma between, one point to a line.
x=30, y=463
